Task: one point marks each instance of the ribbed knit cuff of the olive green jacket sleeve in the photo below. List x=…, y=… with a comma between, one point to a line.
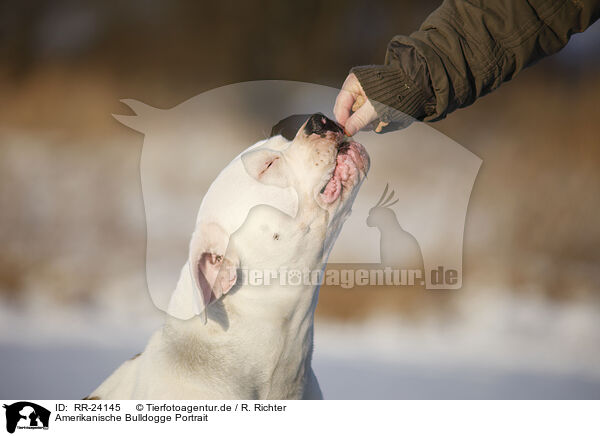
x=392, y=93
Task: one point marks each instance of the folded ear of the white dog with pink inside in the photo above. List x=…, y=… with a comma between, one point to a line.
x=213, y=271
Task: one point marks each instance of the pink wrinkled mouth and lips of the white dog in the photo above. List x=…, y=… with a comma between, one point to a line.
x=352, y=163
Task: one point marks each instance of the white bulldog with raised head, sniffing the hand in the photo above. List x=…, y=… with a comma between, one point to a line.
x=278, y=206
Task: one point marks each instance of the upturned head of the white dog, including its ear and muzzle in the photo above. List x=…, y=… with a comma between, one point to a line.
x=281, y=201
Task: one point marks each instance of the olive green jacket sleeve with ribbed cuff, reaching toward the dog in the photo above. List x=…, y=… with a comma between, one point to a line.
x=466, y=49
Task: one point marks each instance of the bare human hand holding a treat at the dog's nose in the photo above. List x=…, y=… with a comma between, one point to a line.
x=352, y=109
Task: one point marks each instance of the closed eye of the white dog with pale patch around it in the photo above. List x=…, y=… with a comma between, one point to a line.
x=267, y=166
